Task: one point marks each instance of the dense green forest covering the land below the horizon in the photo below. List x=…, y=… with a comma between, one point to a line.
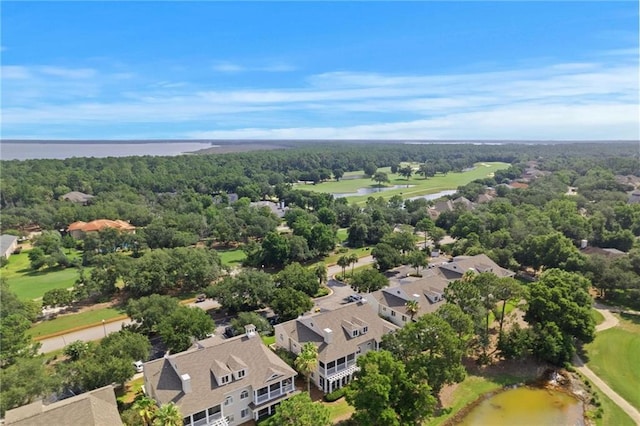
x=187, y=207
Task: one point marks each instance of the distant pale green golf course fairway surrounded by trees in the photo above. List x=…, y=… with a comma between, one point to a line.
x=418, y=185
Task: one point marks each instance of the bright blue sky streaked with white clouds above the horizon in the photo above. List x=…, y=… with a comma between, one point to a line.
x=315, y=70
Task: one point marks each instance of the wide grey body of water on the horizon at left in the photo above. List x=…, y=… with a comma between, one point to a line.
x=52, y=150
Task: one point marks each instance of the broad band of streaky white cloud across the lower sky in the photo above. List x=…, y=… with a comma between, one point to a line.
x=578, y=100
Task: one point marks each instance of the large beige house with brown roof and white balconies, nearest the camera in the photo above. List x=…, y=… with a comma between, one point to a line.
x=221, y=382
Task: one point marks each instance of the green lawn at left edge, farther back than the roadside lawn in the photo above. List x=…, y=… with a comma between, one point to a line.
x=29, y=284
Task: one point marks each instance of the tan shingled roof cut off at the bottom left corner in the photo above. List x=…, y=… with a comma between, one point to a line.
x=95, y=408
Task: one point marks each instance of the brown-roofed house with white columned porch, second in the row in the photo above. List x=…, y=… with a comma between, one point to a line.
x=341, y=336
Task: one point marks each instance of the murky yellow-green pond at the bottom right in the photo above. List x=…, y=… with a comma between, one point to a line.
x=525, y=406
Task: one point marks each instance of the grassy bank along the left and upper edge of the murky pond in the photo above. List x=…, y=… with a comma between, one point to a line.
x=471, y=389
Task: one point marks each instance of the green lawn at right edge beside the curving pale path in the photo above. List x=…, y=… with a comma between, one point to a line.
x=613, y=356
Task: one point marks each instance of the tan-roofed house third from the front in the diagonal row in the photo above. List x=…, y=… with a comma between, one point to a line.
x=427, y=291
